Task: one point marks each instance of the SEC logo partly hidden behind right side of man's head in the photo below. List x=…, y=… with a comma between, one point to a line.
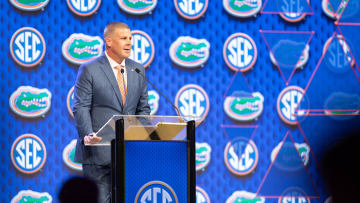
x=143, y=49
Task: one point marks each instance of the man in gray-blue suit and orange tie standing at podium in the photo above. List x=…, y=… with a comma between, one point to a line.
x=106, y=86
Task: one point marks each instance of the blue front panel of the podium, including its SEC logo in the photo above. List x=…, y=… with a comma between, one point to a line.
x=155, y=171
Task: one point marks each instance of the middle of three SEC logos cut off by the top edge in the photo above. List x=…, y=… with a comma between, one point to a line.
x=191, y=10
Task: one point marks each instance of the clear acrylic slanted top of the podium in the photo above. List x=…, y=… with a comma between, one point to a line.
x=145, y=128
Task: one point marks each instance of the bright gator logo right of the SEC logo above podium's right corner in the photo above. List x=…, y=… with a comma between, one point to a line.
x=243, y=106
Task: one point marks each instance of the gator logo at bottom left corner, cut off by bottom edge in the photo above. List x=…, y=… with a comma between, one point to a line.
x=29, y=196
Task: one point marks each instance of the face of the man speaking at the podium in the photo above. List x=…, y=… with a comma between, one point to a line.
x=119, y=44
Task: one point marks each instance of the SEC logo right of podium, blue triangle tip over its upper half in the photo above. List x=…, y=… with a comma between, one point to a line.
x=241, y=156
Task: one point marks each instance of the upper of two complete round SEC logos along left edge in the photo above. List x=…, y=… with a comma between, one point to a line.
x=27, y=47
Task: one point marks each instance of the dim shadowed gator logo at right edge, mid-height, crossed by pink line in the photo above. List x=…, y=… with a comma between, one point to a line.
x=341, y=105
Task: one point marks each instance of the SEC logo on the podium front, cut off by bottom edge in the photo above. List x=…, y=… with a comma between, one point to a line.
x=156, y=192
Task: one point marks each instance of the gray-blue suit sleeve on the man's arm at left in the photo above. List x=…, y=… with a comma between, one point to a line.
x=83, y=102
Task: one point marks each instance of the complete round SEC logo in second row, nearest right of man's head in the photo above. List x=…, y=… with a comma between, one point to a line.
x=240, y=52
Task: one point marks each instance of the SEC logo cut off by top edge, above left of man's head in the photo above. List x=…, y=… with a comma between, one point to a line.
x=83, y=7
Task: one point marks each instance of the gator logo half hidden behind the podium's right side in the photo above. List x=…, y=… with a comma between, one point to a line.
x=202, y=153
